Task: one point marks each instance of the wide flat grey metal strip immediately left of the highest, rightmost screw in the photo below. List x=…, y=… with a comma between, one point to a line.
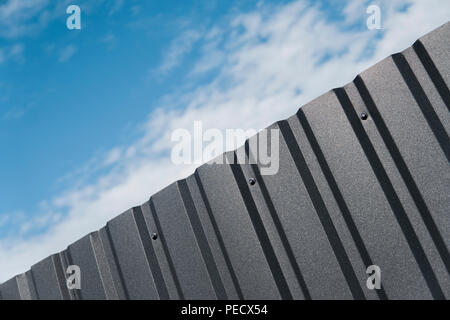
x=366, y=199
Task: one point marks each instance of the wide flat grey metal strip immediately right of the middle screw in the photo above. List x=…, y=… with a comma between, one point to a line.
x=304, y=231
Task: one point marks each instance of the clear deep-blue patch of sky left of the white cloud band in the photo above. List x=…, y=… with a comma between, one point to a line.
x=70, y=94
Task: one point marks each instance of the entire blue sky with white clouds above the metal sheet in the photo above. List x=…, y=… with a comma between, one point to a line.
x=86, y=115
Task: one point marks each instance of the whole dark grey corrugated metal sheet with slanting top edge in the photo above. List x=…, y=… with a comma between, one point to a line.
x=350, y=192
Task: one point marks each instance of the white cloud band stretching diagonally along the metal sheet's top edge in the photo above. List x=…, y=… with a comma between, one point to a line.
x=270, y=66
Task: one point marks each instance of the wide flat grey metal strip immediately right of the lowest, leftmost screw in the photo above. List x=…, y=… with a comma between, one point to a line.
x=190, y=253
